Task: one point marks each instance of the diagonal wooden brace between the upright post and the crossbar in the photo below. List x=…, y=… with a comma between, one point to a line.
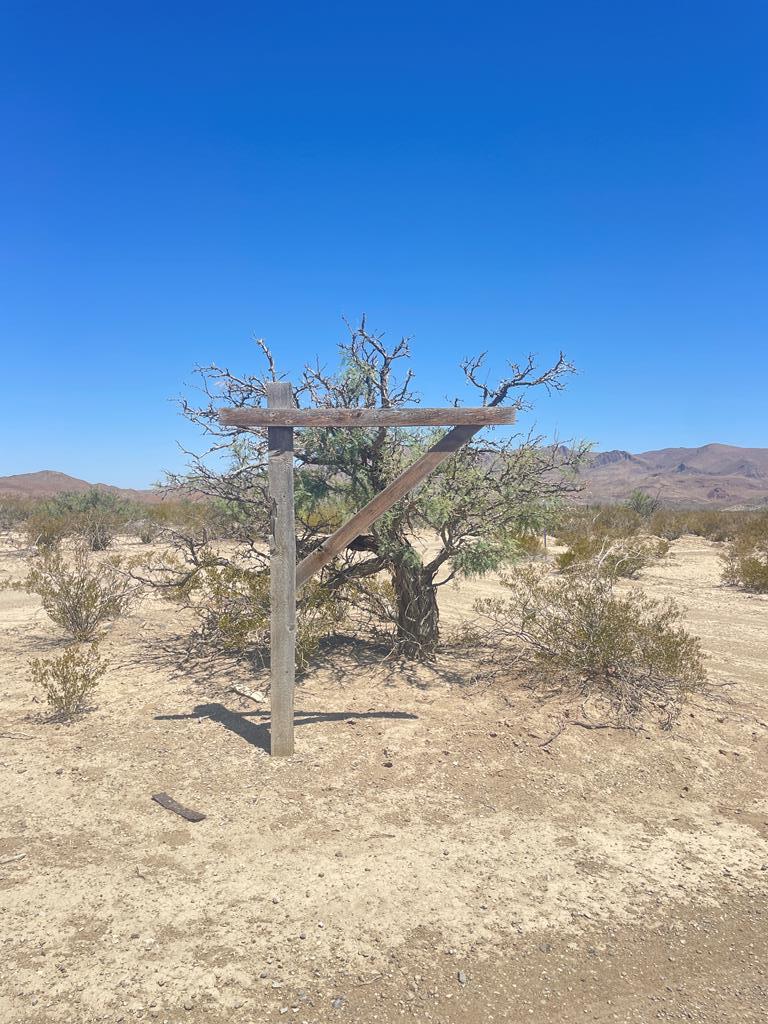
x=362, y=521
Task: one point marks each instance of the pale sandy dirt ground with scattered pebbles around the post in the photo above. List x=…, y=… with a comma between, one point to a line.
x=423, y=857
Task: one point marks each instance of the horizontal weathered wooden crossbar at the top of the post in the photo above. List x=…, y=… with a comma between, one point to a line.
x=280, y=417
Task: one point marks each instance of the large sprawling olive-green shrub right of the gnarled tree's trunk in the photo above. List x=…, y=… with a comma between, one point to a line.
x=627, y=649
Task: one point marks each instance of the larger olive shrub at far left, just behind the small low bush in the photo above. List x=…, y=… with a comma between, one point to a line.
x=80, y=594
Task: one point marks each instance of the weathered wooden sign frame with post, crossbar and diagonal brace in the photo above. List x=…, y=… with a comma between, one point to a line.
x=280, y=418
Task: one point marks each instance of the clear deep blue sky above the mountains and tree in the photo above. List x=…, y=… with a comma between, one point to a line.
x=178, y=179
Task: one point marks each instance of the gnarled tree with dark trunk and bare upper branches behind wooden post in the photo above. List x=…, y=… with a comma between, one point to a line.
x=476, y=506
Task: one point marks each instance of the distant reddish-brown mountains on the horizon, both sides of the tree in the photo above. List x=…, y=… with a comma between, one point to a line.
x=719, y=476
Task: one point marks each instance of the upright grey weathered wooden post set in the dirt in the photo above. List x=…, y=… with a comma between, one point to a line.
x=282, y=576
